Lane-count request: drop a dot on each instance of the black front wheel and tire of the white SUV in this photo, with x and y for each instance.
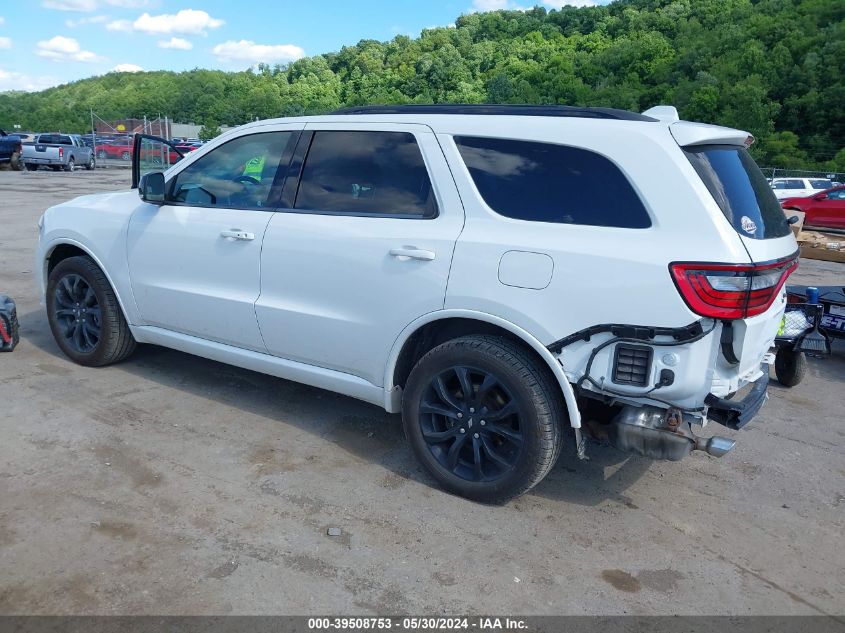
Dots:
(84, 315)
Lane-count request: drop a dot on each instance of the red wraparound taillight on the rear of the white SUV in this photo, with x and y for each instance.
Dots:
(731, 291)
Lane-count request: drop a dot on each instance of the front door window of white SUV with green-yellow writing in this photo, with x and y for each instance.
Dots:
(238, 174)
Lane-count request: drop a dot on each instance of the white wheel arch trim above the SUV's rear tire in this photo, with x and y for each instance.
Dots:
(434, 328)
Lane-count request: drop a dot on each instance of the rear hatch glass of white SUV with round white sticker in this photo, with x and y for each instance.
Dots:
(740, 190)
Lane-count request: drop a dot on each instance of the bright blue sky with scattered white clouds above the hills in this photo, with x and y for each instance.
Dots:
(48, 42)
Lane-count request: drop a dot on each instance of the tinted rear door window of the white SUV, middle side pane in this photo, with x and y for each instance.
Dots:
(380, 173)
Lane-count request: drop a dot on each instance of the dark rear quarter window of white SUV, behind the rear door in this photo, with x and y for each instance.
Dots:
(544, 182)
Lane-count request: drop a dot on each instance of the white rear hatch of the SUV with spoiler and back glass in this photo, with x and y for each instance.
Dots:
(721, 159)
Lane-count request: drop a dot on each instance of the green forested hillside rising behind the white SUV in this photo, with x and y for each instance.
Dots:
(773, 67)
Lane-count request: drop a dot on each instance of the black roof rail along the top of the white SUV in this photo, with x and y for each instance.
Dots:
(499, 110)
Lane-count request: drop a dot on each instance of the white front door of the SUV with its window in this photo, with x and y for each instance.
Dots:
(194, 261)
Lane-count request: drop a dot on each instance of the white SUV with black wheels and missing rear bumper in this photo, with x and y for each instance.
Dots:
(494, 273)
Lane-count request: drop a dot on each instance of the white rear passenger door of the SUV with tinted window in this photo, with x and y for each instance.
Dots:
(363, 248)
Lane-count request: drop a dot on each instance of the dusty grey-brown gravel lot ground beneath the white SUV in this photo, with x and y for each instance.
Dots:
(170, 484)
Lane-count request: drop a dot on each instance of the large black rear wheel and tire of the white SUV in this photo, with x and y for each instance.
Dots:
(483, 417)
